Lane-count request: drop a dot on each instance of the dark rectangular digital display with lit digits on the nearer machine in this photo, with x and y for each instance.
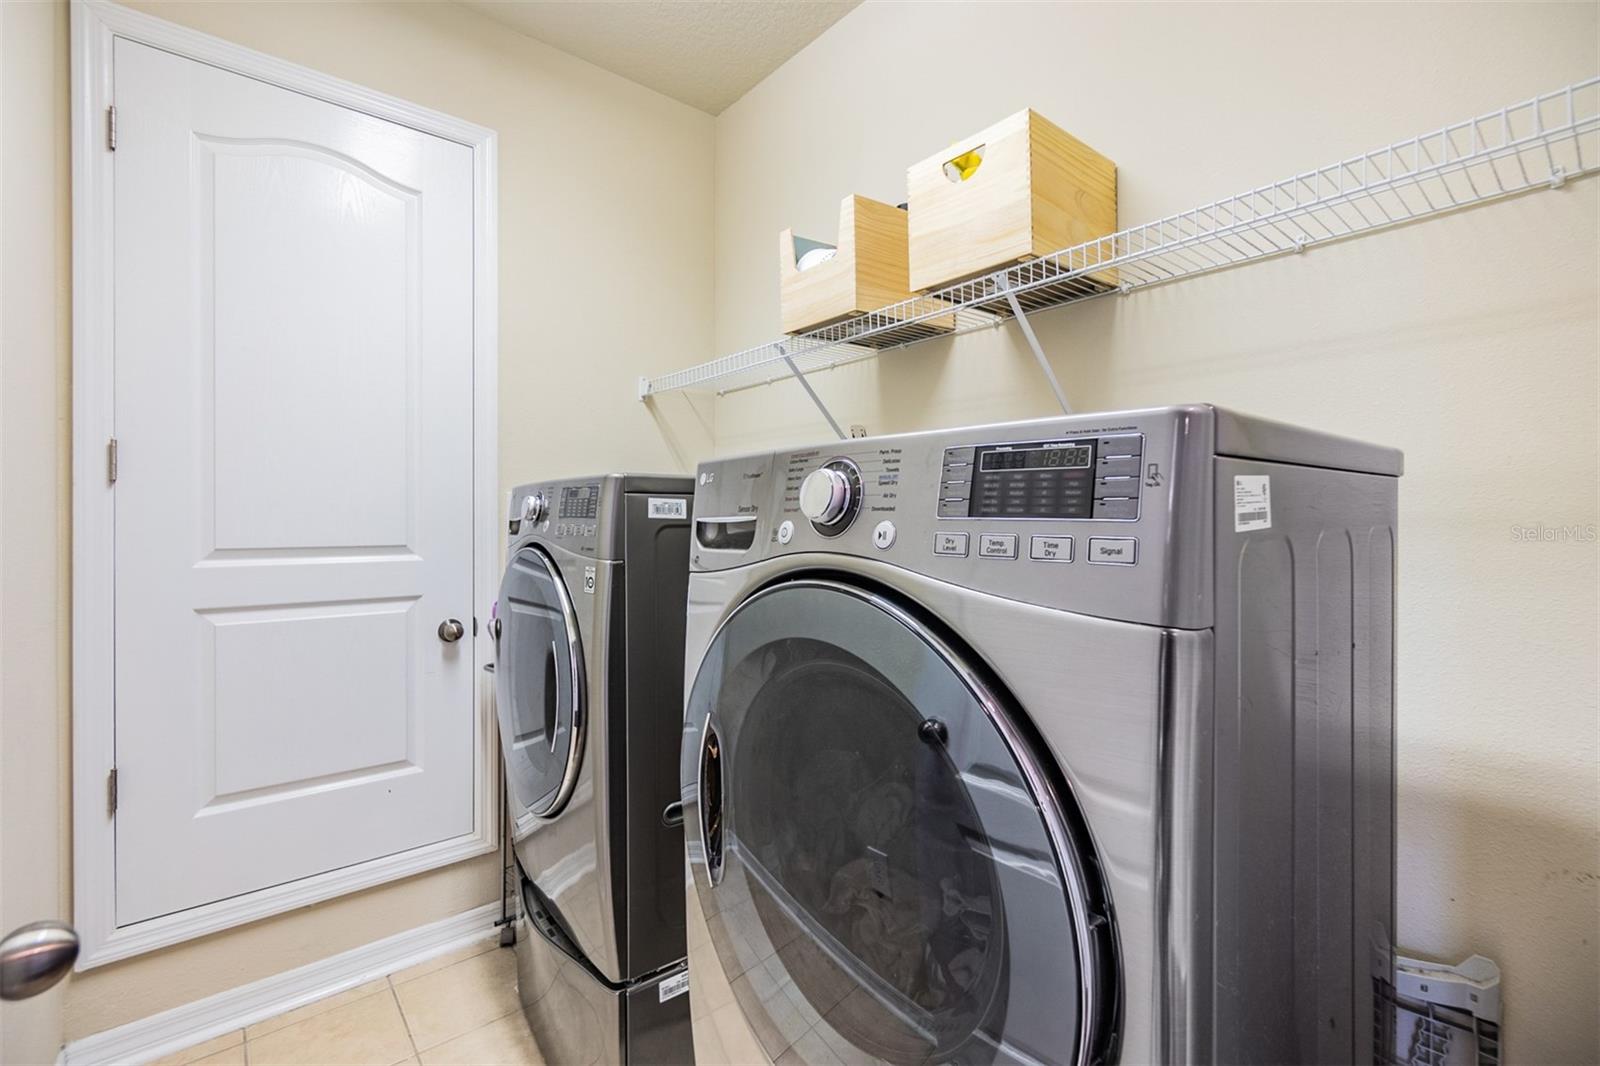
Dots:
(1047, 481)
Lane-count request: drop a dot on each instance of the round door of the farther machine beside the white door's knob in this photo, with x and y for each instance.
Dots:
(538, 686)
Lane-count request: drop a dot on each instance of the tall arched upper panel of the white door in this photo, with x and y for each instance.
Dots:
(295, 226)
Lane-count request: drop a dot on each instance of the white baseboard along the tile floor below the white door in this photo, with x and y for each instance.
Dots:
(182, 1027)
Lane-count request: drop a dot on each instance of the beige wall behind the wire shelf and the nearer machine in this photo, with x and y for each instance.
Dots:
(1434, 339)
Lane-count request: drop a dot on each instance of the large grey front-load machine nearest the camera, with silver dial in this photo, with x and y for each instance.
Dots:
(1057, 742)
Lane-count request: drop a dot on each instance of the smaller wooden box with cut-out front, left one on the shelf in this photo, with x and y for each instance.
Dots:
(868, 271)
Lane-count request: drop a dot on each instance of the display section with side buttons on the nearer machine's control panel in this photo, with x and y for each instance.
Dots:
(1081, 478)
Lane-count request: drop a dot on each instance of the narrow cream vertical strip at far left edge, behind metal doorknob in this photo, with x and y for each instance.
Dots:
(34, 331)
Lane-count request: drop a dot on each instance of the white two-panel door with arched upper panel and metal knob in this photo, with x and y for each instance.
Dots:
(294, 500)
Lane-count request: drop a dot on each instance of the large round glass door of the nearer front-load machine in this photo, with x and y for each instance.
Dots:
(886, 868)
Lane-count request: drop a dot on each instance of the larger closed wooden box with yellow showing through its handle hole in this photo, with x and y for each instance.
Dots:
(1020, 190)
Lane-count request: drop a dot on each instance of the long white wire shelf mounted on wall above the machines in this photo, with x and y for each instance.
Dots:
(1538, 143)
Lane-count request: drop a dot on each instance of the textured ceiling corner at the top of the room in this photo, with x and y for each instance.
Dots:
(706, 54)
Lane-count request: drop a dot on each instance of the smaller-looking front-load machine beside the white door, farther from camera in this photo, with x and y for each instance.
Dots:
(590, 673)
